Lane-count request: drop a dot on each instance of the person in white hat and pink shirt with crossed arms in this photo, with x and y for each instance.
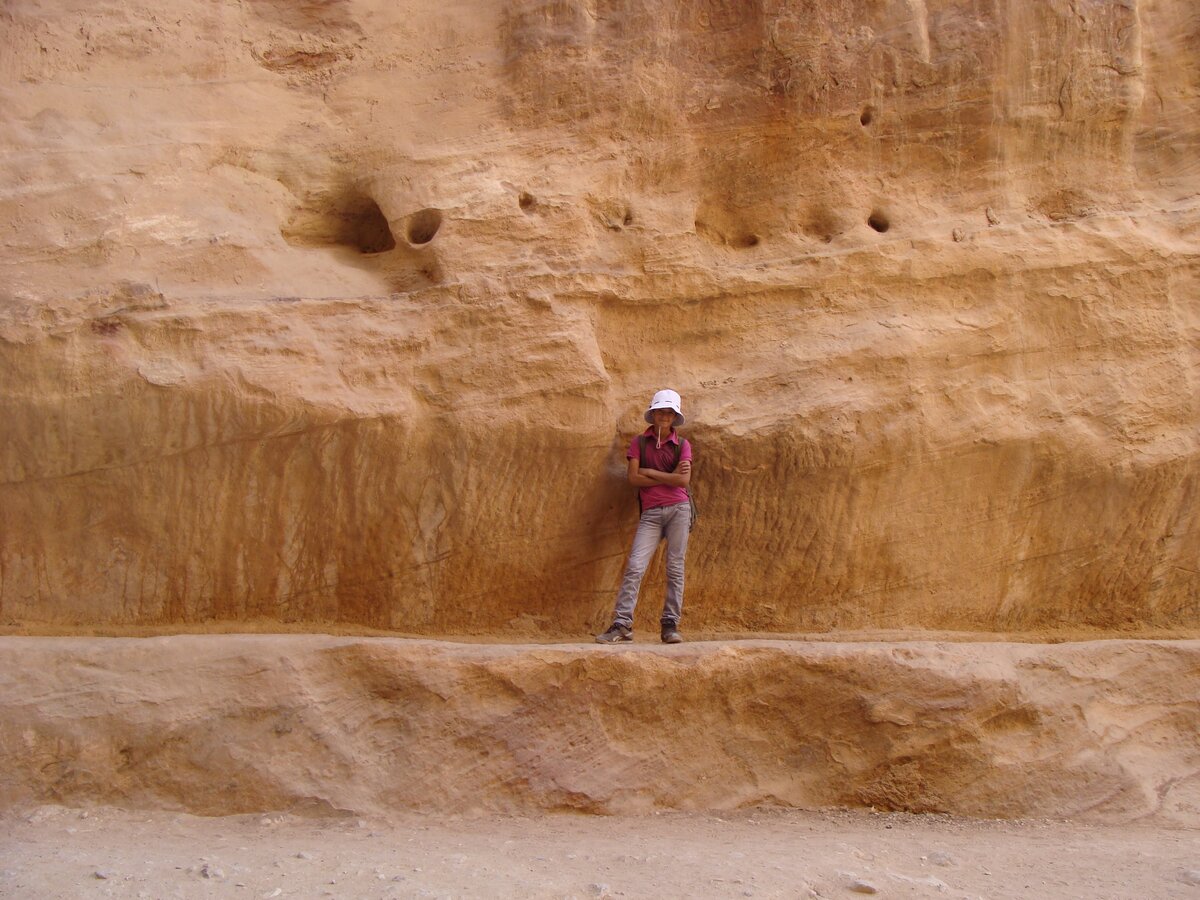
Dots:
(661, 469)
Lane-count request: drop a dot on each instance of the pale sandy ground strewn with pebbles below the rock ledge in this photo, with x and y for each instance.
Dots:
(57, 853)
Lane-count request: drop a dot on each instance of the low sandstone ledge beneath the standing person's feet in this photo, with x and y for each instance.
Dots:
(217, 725)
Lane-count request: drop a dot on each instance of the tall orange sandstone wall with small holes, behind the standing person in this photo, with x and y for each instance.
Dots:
(344, 313)
